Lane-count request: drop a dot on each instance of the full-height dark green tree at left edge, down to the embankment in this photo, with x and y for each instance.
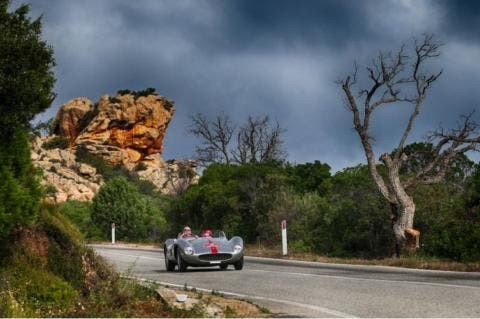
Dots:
(26, 83)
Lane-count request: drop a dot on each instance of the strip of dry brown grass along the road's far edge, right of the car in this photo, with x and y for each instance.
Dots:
(418, 262)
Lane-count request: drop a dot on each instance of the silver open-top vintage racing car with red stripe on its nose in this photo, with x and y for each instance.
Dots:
(216, 250)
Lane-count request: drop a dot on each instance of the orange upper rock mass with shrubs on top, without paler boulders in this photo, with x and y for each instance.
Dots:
(123, 129)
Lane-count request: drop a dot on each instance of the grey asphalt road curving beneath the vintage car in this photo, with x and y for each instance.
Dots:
(319, 290)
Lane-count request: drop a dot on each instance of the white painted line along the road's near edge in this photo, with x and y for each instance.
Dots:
(234, 294)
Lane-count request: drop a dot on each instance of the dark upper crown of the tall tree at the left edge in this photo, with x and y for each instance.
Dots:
(26, 77)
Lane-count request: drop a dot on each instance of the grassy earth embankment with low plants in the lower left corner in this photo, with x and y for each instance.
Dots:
(47, 271)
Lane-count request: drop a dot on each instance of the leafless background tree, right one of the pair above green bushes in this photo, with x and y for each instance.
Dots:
(259, 141)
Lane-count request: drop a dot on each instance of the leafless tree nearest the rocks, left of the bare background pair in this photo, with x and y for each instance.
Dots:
(215, 138)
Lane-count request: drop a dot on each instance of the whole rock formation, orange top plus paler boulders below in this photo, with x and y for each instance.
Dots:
(127, 129)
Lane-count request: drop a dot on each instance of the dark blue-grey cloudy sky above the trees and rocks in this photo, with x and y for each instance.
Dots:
(277, 58)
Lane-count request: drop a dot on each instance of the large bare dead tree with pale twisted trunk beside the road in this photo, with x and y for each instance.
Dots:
(399, 78)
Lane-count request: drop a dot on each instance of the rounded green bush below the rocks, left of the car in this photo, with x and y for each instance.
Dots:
(134, 215)
